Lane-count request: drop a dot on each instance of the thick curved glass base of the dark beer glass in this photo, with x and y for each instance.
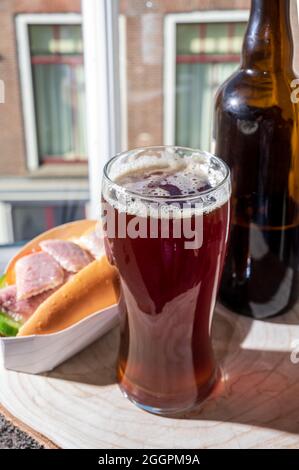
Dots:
(203, 394)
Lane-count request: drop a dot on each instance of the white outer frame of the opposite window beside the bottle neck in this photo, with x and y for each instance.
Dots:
(170, 24)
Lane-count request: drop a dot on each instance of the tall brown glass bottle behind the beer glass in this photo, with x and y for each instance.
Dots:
(257, 134)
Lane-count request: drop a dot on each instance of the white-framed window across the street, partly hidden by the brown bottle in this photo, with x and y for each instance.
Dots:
(206, 51)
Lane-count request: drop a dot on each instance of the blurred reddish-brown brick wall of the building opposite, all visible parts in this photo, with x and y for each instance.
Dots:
(144, 22)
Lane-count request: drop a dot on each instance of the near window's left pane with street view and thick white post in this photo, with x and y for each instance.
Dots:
(43, 65)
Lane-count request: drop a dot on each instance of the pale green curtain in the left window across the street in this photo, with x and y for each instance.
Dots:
(59, 105)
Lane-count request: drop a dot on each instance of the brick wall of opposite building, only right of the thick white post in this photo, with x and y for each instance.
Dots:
(145, 22)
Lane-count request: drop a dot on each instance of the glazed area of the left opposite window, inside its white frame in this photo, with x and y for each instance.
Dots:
(59, 95)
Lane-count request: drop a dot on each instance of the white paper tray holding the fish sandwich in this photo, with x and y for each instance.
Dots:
(40, 353)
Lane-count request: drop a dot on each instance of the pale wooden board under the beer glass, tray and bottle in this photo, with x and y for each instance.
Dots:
(79, 405)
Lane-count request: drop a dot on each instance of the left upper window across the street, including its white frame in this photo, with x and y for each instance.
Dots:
(53, 89)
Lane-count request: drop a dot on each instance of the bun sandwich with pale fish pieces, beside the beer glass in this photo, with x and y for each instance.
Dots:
(56, 280)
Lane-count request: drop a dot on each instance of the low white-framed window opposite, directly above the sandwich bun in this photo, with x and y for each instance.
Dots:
(31, 206)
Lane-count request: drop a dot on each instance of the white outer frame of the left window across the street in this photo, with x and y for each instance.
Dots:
(23, 21)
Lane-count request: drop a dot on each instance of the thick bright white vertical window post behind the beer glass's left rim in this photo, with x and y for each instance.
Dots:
(101, 59)
